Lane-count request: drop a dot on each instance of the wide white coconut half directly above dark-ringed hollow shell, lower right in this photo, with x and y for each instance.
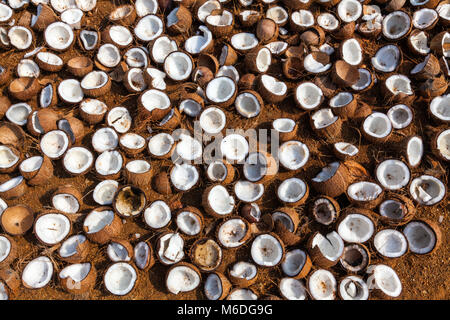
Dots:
(356, 228)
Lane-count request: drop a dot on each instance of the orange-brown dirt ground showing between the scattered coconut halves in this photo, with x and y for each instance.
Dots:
(423, 277)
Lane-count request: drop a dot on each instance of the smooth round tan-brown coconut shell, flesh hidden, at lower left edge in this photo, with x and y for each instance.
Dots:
(17, 220)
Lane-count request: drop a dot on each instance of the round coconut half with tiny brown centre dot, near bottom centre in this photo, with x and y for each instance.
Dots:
(266, 250)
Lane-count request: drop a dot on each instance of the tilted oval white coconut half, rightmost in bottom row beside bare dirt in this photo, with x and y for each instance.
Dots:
(384, 278)
